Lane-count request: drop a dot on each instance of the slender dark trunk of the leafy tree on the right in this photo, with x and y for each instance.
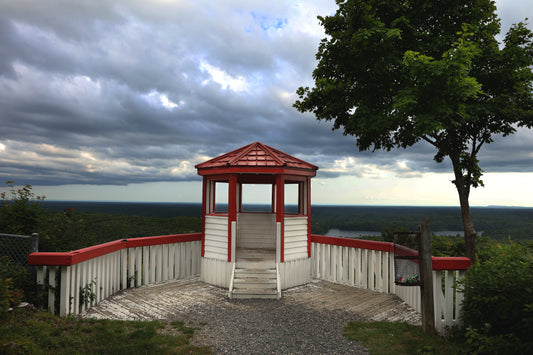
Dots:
(464, 192)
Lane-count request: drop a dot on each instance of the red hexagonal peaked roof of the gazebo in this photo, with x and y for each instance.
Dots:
(255, 158)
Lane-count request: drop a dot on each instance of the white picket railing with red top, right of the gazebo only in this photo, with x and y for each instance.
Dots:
(370, 265)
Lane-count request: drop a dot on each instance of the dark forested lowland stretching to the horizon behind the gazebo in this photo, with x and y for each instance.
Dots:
(494, 221)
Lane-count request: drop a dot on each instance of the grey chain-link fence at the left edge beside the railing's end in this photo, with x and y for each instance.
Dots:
(18, 247)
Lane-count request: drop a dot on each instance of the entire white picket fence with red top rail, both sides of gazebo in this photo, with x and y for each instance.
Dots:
(82, 278)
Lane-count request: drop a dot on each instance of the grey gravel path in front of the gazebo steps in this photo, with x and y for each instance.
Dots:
(274, 327)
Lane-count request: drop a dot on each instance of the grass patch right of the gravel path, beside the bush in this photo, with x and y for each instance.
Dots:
(396, 338)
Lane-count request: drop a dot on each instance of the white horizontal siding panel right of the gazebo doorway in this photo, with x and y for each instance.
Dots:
(295, 237)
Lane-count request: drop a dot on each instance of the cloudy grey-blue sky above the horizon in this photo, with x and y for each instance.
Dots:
(118, 100)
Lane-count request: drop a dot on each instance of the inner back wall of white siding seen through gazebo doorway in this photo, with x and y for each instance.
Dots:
(256, 230)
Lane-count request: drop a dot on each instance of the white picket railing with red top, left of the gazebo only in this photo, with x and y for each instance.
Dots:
(82, 278)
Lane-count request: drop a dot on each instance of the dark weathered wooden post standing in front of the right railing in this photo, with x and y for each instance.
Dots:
(426, 274)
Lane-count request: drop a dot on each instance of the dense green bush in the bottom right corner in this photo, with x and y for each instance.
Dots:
(497, 310)
